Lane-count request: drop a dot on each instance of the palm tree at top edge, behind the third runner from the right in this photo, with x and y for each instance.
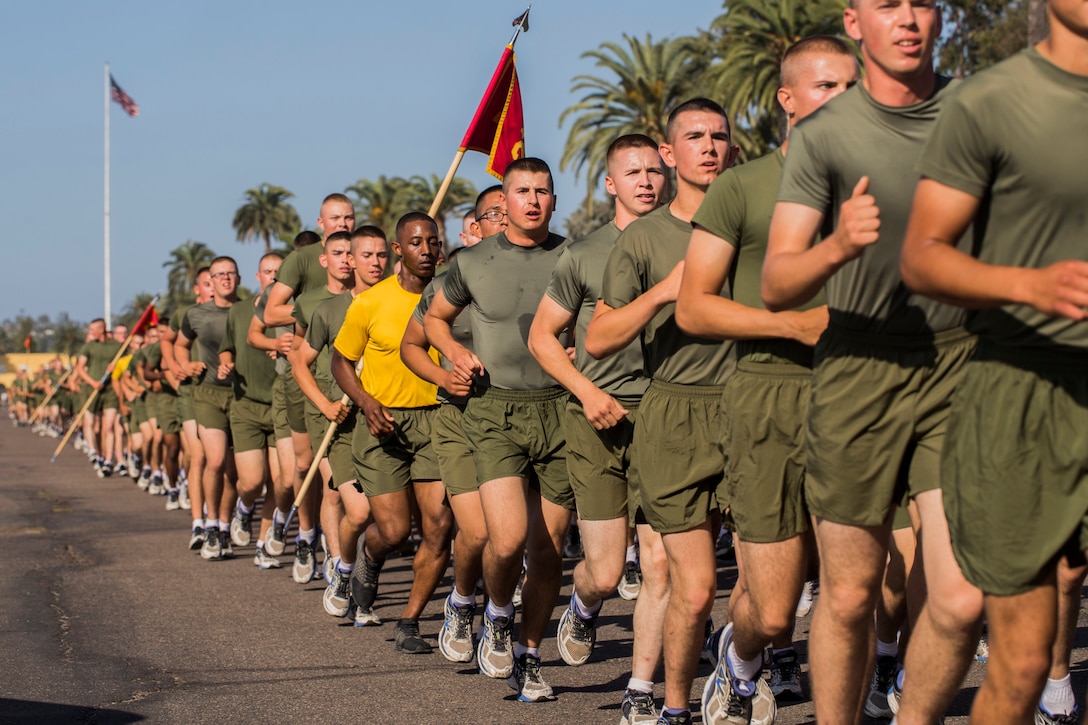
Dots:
(748, 43)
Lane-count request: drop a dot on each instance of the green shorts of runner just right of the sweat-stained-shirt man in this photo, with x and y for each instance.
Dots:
(599, 463)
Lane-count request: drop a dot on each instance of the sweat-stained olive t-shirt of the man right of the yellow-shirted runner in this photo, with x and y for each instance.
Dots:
(503, 285)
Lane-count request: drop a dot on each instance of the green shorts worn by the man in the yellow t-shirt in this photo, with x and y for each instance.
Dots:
(404, 457)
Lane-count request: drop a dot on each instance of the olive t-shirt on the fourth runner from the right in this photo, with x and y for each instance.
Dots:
(645, 255)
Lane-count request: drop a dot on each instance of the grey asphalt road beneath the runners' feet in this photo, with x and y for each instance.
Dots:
(107, 618)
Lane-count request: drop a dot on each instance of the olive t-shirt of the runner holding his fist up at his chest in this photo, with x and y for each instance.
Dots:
(854, 137)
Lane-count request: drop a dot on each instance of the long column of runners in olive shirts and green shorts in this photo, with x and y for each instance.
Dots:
(784, 348)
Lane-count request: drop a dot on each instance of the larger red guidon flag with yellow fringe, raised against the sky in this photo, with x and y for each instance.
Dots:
(499, 127)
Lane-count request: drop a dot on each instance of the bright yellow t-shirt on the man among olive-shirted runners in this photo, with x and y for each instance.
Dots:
(373, 330)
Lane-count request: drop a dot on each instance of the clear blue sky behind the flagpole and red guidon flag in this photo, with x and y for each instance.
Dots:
(233, 94)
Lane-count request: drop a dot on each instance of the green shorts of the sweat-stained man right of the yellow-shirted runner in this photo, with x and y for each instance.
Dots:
(517, 433)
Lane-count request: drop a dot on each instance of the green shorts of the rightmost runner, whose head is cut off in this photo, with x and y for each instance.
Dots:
(1016, 466)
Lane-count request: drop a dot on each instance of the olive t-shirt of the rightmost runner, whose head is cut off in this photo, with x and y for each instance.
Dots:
(1015, 137)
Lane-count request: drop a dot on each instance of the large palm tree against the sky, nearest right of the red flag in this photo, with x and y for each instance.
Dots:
(645, 82)
